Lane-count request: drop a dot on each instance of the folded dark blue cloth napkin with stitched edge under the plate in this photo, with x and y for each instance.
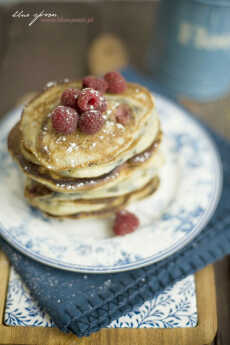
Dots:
(83, 306)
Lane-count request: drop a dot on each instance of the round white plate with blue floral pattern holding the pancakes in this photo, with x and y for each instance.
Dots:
(191, 182)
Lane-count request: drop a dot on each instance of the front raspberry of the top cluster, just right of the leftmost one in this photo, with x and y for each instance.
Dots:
(91, 121)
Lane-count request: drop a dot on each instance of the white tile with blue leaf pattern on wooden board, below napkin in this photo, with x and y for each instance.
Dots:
(174, 307)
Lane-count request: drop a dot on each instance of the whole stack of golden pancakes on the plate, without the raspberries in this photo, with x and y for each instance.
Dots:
(79, 175)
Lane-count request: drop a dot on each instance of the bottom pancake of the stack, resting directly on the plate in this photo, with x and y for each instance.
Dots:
(35, 193)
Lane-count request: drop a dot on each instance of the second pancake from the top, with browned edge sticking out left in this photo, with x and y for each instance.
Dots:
(70, 185)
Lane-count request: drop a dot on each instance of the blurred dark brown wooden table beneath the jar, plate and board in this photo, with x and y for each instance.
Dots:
(32, 55)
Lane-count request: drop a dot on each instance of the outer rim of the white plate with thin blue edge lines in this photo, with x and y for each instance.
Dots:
(179, 244)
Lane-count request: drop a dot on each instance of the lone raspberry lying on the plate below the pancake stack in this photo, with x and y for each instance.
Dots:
(125, 223)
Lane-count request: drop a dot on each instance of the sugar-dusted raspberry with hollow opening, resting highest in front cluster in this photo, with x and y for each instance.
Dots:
(89, 99)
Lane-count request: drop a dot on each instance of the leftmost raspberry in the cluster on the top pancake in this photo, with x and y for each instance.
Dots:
(64, 119)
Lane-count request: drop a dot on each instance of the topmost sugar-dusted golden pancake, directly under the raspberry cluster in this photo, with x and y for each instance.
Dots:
(80, 155)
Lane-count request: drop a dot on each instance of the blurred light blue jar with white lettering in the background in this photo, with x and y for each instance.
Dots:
(190, 52)
